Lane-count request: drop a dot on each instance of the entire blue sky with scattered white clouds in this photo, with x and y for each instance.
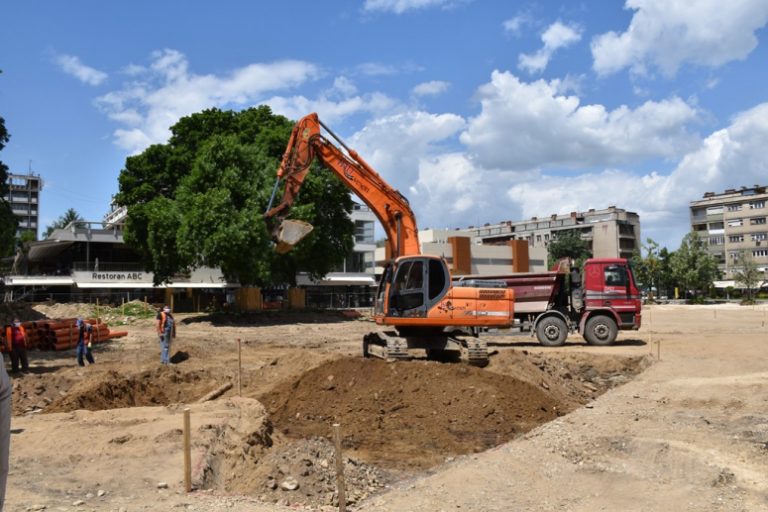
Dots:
(478, 111)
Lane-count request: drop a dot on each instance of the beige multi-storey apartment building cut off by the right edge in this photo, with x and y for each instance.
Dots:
(733, 222)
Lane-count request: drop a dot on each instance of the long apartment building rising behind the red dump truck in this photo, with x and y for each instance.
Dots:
(611, 232)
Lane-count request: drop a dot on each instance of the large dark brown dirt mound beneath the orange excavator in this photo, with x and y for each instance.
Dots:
(410, 415)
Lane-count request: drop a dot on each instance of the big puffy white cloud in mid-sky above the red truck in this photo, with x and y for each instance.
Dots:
(531, 125)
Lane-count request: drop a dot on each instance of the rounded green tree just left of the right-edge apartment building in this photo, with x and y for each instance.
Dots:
(693, 268)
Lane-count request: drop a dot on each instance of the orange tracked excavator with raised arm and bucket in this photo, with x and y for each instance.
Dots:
(417, 304)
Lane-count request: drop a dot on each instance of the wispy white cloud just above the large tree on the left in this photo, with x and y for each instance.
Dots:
(166, 90)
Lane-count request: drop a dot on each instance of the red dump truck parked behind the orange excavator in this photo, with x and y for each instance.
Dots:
(597, 302)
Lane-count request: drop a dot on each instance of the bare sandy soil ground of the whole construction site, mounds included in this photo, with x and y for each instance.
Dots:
(573, 428)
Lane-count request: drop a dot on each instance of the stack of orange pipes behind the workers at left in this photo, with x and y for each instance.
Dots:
(62, 333)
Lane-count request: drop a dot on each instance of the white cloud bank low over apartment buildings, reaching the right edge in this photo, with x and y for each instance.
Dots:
(728, 158)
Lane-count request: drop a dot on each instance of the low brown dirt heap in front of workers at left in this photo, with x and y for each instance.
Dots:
(113, 390)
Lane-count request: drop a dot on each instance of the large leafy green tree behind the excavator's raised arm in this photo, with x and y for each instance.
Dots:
(199, 200)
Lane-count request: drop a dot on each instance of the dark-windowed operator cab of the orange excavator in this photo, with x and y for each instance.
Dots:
(411, 286)
